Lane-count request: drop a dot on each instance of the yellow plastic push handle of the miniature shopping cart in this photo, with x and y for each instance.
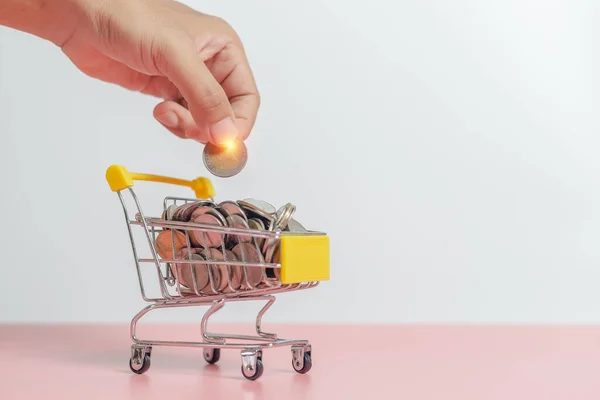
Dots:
(119, 178)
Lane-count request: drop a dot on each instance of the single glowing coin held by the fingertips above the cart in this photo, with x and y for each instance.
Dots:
(227, 160)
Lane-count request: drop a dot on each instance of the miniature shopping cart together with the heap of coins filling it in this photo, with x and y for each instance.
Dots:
(206, 254)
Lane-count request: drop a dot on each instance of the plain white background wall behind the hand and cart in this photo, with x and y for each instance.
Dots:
(449, 149)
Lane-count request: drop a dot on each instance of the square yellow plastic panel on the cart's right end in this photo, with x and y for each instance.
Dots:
(304, 258)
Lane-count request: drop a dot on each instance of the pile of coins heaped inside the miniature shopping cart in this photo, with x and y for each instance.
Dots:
(193, 243)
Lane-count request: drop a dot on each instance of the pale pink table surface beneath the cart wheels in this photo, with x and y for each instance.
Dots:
(349, 362)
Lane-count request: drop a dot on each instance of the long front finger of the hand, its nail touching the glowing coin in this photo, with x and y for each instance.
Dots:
(206, 99)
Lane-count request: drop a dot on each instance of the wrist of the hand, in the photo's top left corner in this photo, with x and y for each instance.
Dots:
(53, 20)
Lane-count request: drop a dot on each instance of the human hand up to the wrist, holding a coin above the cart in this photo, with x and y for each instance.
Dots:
(165, 49)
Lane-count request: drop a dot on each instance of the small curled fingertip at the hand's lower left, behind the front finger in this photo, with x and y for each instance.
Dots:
(178, 120)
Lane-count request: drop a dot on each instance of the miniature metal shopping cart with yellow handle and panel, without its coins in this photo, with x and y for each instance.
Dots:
(302, 262)
